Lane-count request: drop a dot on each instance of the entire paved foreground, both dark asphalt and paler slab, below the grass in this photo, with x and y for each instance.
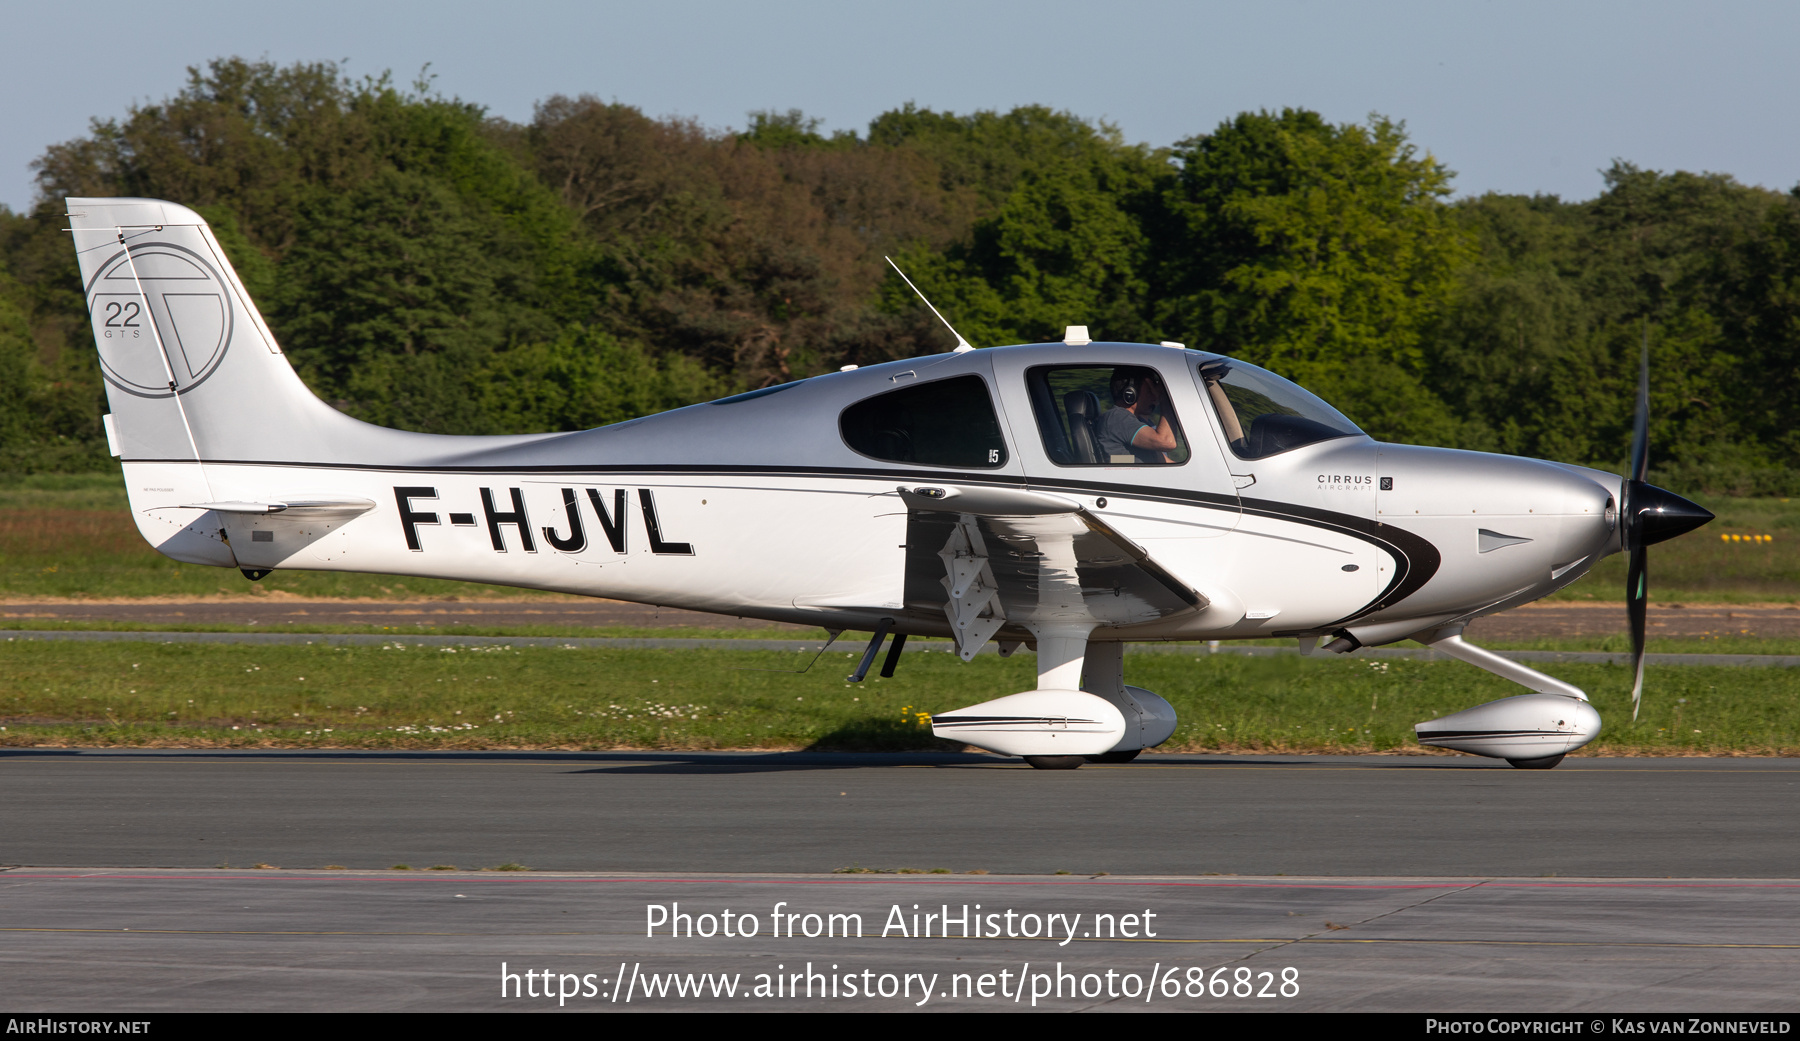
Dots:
(1385, 883)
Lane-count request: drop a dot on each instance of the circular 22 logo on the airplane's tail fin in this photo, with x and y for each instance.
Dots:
(159, 293)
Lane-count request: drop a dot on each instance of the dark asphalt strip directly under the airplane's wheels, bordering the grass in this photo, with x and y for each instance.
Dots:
(813, 813)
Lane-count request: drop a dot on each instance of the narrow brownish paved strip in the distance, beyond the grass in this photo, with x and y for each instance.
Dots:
(280, 613)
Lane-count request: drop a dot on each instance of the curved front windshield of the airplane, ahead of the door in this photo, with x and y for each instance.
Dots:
(1263, 413)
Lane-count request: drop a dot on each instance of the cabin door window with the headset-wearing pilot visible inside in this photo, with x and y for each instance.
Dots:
(1106, 417)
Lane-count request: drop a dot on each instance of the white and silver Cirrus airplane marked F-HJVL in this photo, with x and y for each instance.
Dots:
(1065, 496)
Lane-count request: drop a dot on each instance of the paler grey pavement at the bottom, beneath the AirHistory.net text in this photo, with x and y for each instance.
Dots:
(327, 941)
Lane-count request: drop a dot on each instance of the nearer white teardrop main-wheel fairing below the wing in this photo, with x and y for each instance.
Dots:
(1052, 723)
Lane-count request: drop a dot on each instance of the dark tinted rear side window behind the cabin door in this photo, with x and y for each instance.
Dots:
(939, 424)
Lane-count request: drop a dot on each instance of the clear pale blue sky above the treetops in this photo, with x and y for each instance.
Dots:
(1524, 96)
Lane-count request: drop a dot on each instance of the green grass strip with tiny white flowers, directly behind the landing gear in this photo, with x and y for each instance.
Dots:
(186, 696)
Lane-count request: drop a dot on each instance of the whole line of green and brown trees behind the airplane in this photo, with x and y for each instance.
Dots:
(431, 267)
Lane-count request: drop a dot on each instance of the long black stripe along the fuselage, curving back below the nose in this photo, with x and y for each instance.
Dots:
(1416, 557)
